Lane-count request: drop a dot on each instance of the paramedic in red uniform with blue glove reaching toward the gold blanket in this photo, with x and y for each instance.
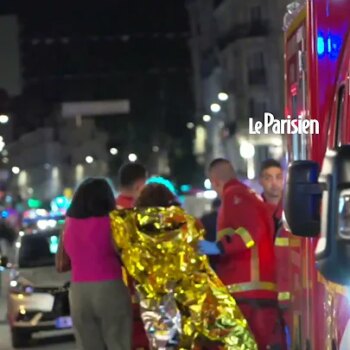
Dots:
(246, 262)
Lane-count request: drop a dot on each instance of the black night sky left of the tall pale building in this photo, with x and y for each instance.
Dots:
(136, 49)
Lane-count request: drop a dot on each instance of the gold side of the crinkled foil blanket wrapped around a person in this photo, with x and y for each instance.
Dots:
(158, 247)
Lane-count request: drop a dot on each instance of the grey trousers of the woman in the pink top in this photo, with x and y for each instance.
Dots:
(102, 315)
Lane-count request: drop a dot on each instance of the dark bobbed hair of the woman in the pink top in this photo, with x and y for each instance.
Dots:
(94, 197)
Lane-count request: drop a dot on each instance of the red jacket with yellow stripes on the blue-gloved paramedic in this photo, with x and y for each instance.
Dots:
(245, 231)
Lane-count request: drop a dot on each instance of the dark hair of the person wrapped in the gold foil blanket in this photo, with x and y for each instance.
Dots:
(156, 195)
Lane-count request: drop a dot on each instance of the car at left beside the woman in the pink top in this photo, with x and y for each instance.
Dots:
(37, 294)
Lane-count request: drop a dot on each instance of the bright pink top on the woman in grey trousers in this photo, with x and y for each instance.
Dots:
(89, 245)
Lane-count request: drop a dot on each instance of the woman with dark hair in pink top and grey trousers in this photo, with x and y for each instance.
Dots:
(99, 300)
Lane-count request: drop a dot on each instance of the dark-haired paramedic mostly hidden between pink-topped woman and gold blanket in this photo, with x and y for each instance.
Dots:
(132, 178)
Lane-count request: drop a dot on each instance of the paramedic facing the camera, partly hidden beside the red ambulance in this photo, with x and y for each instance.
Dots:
(271, 180)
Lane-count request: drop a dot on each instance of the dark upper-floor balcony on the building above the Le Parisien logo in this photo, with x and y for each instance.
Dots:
(246, 30)
